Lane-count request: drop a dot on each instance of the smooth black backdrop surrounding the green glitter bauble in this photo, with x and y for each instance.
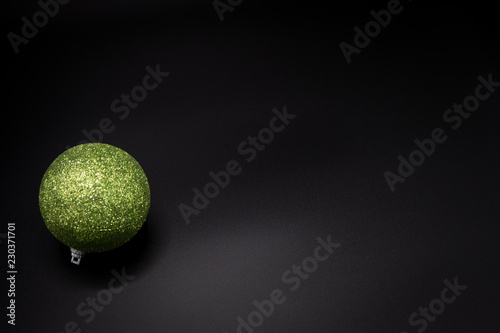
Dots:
(322, 176)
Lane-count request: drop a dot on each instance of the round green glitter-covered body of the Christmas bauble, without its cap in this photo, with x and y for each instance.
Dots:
(94, 197)
